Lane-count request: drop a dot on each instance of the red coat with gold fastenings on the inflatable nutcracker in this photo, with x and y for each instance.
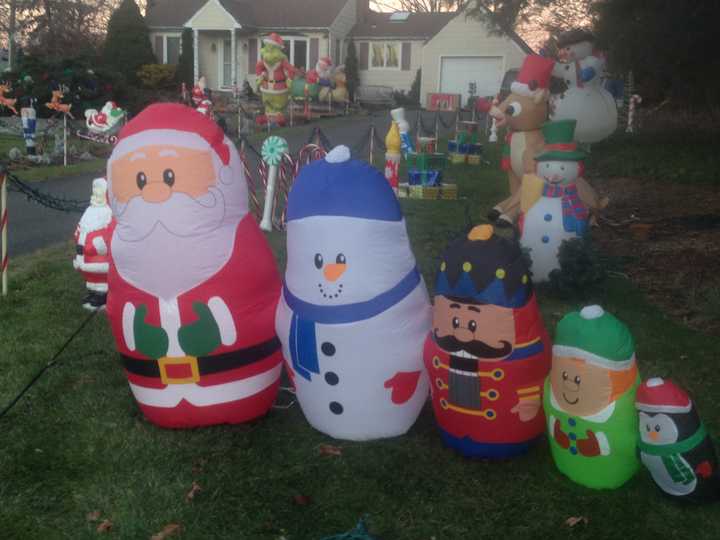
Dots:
(503, 385)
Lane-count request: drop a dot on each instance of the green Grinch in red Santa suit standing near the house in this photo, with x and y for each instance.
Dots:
(274, 75)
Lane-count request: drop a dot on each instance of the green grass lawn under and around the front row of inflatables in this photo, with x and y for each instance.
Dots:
(77, 443)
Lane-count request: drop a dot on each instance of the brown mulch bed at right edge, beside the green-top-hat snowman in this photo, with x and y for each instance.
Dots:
(667, 237)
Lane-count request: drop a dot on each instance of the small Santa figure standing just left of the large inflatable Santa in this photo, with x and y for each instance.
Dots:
(92, 238)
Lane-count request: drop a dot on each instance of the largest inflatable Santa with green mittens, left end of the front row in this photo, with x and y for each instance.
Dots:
(193, 282)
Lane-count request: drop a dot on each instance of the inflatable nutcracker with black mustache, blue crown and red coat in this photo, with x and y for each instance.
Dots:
(488, 352)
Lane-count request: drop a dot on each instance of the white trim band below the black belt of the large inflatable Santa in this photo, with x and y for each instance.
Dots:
(203, 396)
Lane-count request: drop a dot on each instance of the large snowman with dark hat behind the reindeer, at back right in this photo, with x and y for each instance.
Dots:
(585, 99)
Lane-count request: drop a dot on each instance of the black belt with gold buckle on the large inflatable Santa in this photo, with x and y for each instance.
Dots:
(203, 365)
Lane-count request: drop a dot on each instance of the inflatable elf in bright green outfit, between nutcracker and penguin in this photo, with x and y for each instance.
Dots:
(589, 399)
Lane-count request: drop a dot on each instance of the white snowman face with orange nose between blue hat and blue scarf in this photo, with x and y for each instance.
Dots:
(336, 260)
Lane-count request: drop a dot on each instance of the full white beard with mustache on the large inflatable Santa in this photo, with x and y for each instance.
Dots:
(169, 248)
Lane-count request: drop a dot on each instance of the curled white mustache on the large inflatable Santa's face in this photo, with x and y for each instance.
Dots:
(181, 215)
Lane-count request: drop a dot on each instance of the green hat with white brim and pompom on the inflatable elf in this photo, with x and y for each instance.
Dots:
(596, 337)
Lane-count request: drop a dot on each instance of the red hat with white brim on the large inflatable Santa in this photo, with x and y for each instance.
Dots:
(172, 124)
